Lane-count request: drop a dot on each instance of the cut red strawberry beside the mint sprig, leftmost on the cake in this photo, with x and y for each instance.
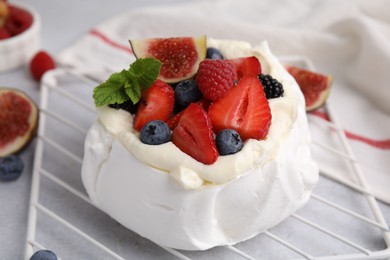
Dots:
(157, 103)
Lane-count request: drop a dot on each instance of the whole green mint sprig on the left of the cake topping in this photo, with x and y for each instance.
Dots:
(127, 84)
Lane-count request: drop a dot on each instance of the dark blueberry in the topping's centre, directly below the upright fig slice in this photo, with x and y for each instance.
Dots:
(187, 92)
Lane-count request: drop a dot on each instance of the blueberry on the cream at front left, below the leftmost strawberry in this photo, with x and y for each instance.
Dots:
(155, 132)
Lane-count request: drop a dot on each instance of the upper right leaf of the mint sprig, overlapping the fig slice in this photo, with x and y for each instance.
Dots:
(144, 72)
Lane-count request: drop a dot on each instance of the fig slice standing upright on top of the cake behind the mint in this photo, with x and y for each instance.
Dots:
(180, 56)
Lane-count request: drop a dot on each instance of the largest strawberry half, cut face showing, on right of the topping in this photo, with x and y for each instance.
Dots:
(244, 108)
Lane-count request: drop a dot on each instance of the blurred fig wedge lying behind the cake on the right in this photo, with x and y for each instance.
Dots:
(314, 86)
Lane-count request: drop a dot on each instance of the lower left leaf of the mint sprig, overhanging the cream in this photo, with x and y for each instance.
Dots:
(112, 90)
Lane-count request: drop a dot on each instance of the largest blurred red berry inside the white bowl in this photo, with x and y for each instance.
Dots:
(18, 20)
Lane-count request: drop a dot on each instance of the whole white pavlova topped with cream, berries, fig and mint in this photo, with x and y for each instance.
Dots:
(199, 143)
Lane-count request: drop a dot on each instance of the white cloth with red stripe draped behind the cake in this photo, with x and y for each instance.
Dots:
(347, 39)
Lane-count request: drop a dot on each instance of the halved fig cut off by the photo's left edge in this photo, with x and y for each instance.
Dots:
(18, 121)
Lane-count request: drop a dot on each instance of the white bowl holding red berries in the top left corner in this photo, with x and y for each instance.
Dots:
(18, 50)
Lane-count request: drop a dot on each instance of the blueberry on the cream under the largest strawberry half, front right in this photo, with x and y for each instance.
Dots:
(228, 141)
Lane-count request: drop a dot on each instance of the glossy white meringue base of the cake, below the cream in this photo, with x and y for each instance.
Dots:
(156, 206)
